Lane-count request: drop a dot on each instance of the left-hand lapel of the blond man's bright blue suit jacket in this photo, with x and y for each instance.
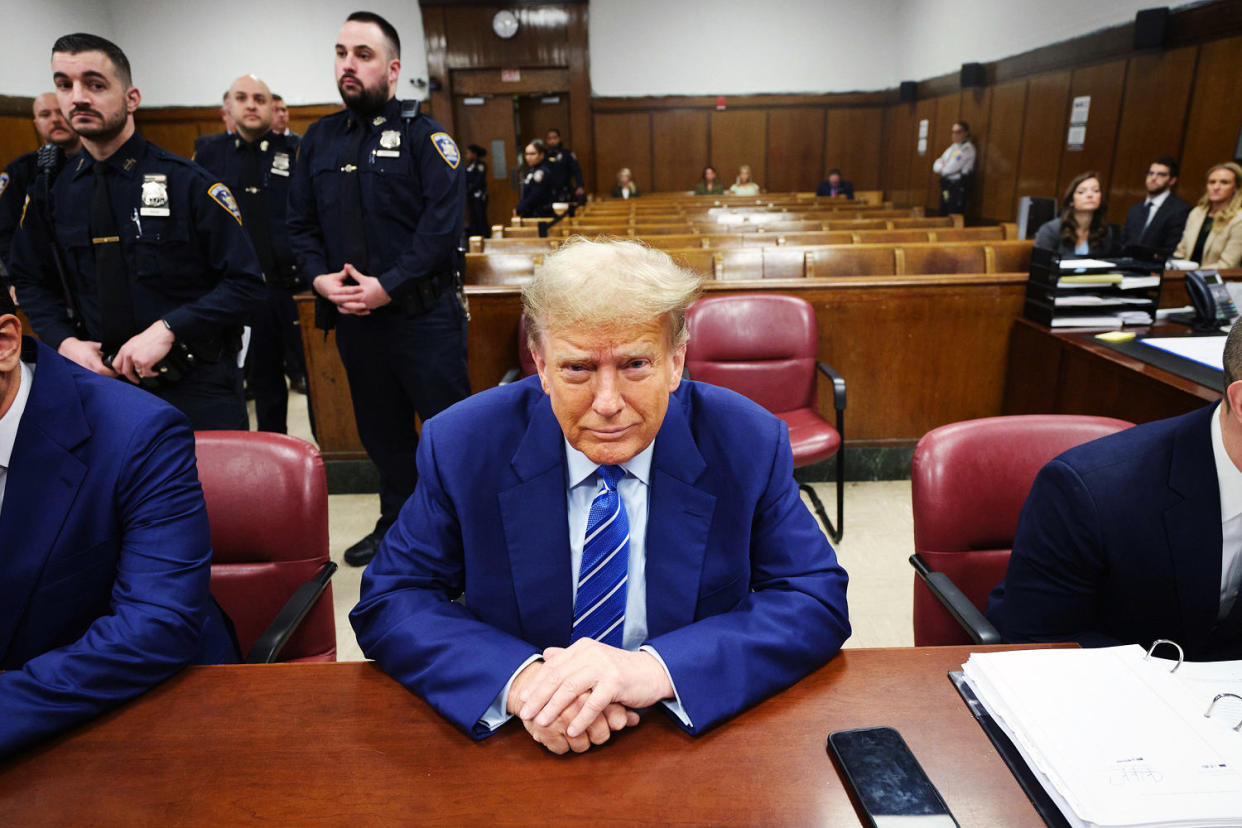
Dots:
(536, 517)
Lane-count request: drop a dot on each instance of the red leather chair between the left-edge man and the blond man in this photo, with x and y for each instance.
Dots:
(268, 502)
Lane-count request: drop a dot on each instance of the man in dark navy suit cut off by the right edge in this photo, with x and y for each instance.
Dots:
(1137, 537)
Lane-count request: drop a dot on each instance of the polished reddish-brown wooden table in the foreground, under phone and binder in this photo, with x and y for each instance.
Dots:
(343, 744)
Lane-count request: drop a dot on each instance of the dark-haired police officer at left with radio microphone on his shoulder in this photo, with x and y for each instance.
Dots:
(157, 275)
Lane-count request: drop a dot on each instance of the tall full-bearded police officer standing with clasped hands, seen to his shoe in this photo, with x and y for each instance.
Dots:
(377, 209)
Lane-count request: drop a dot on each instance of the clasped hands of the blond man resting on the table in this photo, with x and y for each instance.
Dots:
(579, 696)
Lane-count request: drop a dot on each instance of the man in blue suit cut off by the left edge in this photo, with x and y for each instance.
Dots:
(104, 543)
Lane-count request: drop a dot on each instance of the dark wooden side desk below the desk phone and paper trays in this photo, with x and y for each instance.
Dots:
(1072, 373)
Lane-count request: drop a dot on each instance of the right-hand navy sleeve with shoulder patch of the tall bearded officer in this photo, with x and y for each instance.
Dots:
(440, 224)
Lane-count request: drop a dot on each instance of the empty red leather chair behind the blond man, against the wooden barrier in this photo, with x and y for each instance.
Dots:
(766, 348)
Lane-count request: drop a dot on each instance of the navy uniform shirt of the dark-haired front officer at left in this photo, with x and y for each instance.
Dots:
(188, 259)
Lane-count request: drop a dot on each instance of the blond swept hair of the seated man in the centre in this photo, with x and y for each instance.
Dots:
(608, 284)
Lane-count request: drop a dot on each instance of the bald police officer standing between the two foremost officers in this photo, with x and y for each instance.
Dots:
(258, 164)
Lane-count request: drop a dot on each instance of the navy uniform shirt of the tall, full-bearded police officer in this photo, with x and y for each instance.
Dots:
(413, 197)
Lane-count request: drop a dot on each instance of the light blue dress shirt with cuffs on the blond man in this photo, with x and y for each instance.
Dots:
(582, 486)
